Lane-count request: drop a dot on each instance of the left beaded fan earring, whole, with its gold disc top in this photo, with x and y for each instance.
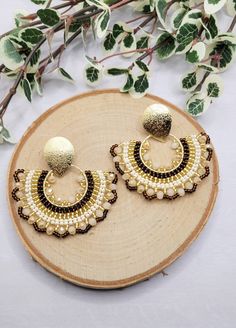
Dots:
(39, 206)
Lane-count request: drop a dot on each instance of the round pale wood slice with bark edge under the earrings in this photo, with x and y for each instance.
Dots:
(138, 238)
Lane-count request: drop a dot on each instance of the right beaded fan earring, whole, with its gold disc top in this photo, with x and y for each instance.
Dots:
(190, 166)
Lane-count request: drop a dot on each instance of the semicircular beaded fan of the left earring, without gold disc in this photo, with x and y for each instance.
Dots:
(37, 204)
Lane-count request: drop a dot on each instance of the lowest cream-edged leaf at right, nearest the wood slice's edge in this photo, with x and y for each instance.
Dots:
(197, 104)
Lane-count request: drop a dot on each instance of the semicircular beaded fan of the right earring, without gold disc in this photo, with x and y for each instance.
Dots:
(194, 153)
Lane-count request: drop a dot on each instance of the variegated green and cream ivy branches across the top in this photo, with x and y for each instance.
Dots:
(157, 29)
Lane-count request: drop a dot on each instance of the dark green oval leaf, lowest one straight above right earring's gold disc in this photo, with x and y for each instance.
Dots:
(166, 45)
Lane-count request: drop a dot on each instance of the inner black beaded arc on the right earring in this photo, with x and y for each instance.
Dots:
(161, 175)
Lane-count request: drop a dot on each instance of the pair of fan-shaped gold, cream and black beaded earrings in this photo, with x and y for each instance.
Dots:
(38, 204)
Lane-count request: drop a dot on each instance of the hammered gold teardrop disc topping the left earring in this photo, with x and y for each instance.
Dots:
(59, 153)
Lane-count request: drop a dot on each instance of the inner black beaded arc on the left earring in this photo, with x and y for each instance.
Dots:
(64, 209)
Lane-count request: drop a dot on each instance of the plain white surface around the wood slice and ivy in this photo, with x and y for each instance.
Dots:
(200, 289)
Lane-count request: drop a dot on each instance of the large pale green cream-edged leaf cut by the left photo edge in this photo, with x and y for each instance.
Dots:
(9, 55)
